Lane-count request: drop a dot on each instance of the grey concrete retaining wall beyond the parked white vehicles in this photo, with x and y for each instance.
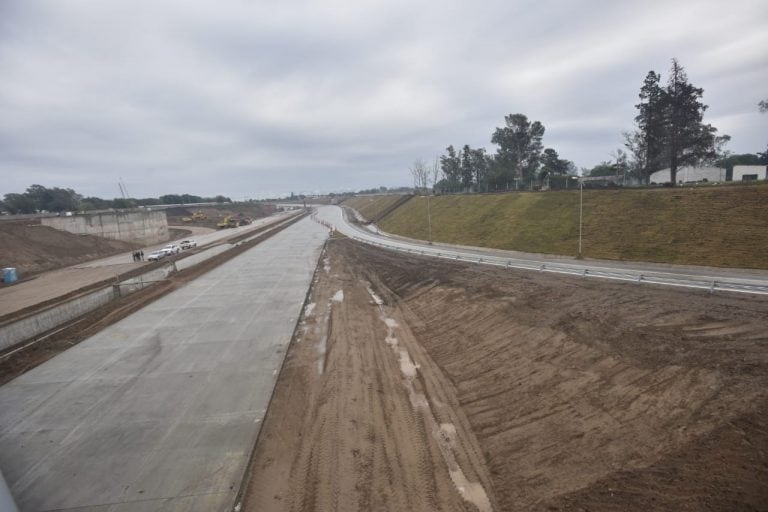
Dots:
(141, 227)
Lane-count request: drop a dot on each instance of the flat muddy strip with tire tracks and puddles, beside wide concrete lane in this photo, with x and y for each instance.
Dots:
(342, 432)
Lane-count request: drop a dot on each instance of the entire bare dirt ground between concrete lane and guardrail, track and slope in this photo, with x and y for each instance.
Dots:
(472, 388)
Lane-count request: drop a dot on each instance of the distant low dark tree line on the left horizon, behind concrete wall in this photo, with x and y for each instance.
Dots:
(38, 198)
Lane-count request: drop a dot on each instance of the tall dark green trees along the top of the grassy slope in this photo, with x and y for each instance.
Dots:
(670, 133)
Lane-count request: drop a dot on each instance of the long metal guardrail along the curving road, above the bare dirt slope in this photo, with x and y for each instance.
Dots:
(650, 277)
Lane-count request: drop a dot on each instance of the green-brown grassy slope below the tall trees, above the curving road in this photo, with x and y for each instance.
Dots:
(717, 226)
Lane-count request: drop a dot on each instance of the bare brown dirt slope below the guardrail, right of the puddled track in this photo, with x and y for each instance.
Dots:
(575, 389)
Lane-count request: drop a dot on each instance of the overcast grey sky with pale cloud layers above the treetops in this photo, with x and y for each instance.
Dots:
(259, 98)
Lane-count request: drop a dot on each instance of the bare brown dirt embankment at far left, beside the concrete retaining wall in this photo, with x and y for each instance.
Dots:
(33, 248)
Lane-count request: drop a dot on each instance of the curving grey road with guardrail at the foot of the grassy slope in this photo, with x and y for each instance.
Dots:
(685, 276)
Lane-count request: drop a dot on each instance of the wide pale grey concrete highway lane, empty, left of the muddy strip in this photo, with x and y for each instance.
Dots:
(160, 411)
